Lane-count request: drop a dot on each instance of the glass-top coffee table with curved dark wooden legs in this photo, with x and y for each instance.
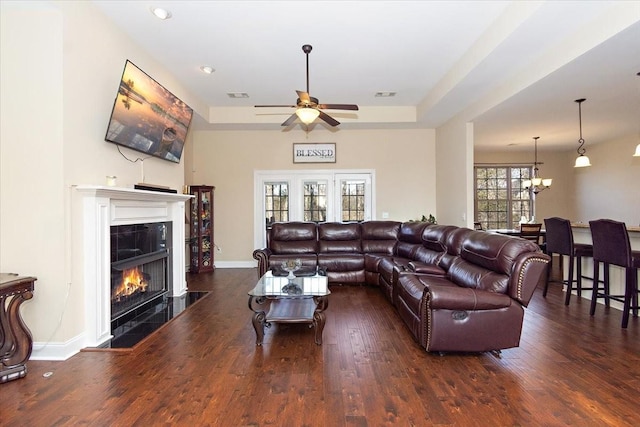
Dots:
(277, 299)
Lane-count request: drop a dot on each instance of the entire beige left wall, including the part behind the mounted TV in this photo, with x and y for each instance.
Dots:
(60, 67)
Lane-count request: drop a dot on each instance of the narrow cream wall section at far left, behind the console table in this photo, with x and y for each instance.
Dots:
(32, 220)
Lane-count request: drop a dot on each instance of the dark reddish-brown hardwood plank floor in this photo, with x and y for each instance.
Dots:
(204, 369)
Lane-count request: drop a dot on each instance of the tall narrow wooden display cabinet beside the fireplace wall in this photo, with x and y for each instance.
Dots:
(202, 244)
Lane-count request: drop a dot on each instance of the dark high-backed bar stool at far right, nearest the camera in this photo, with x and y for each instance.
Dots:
(611, 246)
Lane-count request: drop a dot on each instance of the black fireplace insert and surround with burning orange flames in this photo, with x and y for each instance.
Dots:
(140, 263)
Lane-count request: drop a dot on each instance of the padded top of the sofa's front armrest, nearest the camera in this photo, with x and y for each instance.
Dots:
(459, 298)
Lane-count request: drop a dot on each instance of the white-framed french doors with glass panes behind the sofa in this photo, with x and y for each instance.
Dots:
(311, 195)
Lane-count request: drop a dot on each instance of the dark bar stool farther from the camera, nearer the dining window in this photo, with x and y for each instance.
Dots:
(560, 241)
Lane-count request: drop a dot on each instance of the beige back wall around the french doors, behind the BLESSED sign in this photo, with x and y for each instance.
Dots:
(403, 160)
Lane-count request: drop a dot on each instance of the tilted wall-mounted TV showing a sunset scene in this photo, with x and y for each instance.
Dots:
(147, 117)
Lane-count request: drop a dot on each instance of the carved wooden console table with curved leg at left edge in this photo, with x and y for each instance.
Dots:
(16, 342)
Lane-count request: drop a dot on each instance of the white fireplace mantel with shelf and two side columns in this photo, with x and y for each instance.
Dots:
(103, 207)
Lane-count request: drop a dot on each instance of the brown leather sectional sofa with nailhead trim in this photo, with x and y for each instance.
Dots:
(456, 289)
